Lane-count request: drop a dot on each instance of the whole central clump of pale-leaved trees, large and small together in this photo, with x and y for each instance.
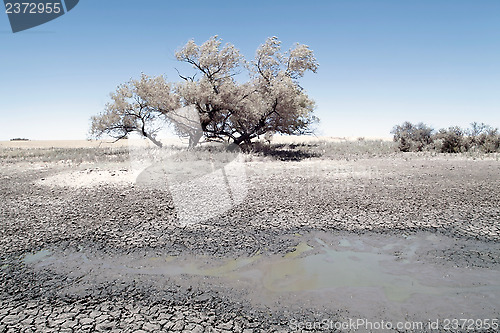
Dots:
(225, 109)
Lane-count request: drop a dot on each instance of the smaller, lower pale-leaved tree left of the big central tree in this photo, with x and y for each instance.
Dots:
(137, 107)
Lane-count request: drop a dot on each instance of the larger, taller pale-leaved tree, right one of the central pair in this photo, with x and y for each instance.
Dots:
(271, 101)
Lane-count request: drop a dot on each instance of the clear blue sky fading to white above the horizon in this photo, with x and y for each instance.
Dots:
(381, 62)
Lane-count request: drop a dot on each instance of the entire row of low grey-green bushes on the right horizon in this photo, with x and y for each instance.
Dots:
(420, 137)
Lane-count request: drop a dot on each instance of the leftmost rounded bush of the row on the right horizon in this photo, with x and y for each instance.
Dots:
(412, 137)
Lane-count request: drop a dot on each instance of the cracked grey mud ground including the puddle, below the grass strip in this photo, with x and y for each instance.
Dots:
(106, 242)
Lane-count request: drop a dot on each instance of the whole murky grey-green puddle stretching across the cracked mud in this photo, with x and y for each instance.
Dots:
(353, 271)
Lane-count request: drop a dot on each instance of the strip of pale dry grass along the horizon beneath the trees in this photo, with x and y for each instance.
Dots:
(282, 148)
